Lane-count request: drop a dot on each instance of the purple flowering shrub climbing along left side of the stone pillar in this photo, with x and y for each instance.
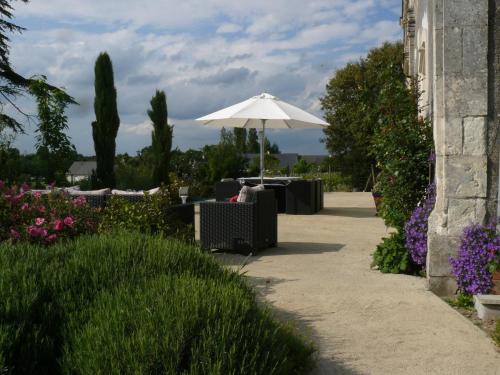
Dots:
(416, 227)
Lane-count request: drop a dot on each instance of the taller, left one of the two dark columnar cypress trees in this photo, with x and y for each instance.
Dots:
(105, 127)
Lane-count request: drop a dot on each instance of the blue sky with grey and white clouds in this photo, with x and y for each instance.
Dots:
(205, 54)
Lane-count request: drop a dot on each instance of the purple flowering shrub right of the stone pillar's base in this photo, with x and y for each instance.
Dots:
(479, 249)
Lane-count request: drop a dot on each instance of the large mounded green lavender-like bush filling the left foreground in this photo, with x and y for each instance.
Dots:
(131, 303)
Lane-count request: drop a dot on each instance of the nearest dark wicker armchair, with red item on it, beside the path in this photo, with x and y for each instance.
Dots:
(240, 227)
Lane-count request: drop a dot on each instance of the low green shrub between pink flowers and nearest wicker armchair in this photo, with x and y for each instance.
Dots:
(152, 214)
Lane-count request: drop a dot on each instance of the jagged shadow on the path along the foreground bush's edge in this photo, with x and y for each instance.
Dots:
(264, 286)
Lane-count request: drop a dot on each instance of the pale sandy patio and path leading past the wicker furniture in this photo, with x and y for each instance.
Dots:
(362, 321)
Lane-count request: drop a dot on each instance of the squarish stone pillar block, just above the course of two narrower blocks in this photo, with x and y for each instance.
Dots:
(466, 95)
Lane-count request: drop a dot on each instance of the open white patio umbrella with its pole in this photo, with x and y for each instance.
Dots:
(261, 112)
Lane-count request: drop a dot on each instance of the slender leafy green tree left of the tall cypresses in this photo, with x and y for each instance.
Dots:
(52, 143)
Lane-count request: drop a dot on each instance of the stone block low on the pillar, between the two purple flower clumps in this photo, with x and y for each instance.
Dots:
(440, 249)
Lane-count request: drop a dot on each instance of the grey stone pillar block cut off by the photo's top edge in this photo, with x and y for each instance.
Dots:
(465, 12)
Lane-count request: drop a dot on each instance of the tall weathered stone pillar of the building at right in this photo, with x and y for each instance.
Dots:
(464, 133)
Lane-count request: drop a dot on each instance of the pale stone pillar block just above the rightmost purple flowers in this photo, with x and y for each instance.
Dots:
(463, 212)
